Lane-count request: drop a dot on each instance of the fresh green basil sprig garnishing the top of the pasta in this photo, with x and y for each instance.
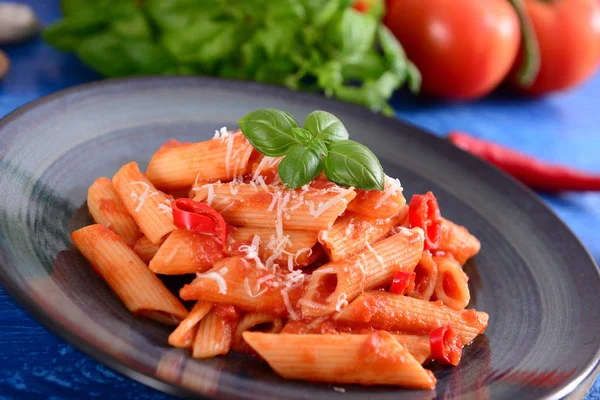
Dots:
(321, 145)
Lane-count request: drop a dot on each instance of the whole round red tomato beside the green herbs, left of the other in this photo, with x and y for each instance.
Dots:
(463, 48)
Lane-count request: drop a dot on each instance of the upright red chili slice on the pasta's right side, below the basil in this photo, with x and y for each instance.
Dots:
(424, 212)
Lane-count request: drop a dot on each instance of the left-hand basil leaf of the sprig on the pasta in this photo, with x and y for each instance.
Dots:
(269, 131)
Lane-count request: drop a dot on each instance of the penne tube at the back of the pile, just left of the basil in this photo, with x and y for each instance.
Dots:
(223, 158)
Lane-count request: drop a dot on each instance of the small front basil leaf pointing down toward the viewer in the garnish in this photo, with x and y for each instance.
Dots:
(300, 167)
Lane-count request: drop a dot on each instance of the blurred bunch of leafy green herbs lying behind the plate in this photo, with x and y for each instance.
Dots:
(317, 45)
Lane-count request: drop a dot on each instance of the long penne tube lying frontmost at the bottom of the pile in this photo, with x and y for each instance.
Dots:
(374, 359)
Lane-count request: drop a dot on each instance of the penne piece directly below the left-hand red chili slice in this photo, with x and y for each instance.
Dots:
(186, 252)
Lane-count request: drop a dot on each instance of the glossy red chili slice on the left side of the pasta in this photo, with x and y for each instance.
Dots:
(193, 215)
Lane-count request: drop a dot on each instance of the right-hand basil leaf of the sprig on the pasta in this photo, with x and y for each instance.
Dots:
(350, 163)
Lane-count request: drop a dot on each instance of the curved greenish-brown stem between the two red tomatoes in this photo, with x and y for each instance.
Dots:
(528, 71)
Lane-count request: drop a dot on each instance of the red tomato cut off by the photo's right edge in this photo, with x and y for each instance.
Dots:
(568, 33)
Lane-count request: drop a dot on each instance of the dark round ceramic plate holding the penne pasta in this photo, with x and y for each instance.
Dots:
(533, 277)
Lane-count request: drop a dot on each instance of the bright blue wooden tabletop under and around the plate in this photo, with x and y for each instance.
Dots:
(35, 363)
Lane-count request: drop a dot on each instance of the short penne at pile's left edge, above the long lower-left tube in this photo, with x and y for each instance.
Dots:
(107, 209)
